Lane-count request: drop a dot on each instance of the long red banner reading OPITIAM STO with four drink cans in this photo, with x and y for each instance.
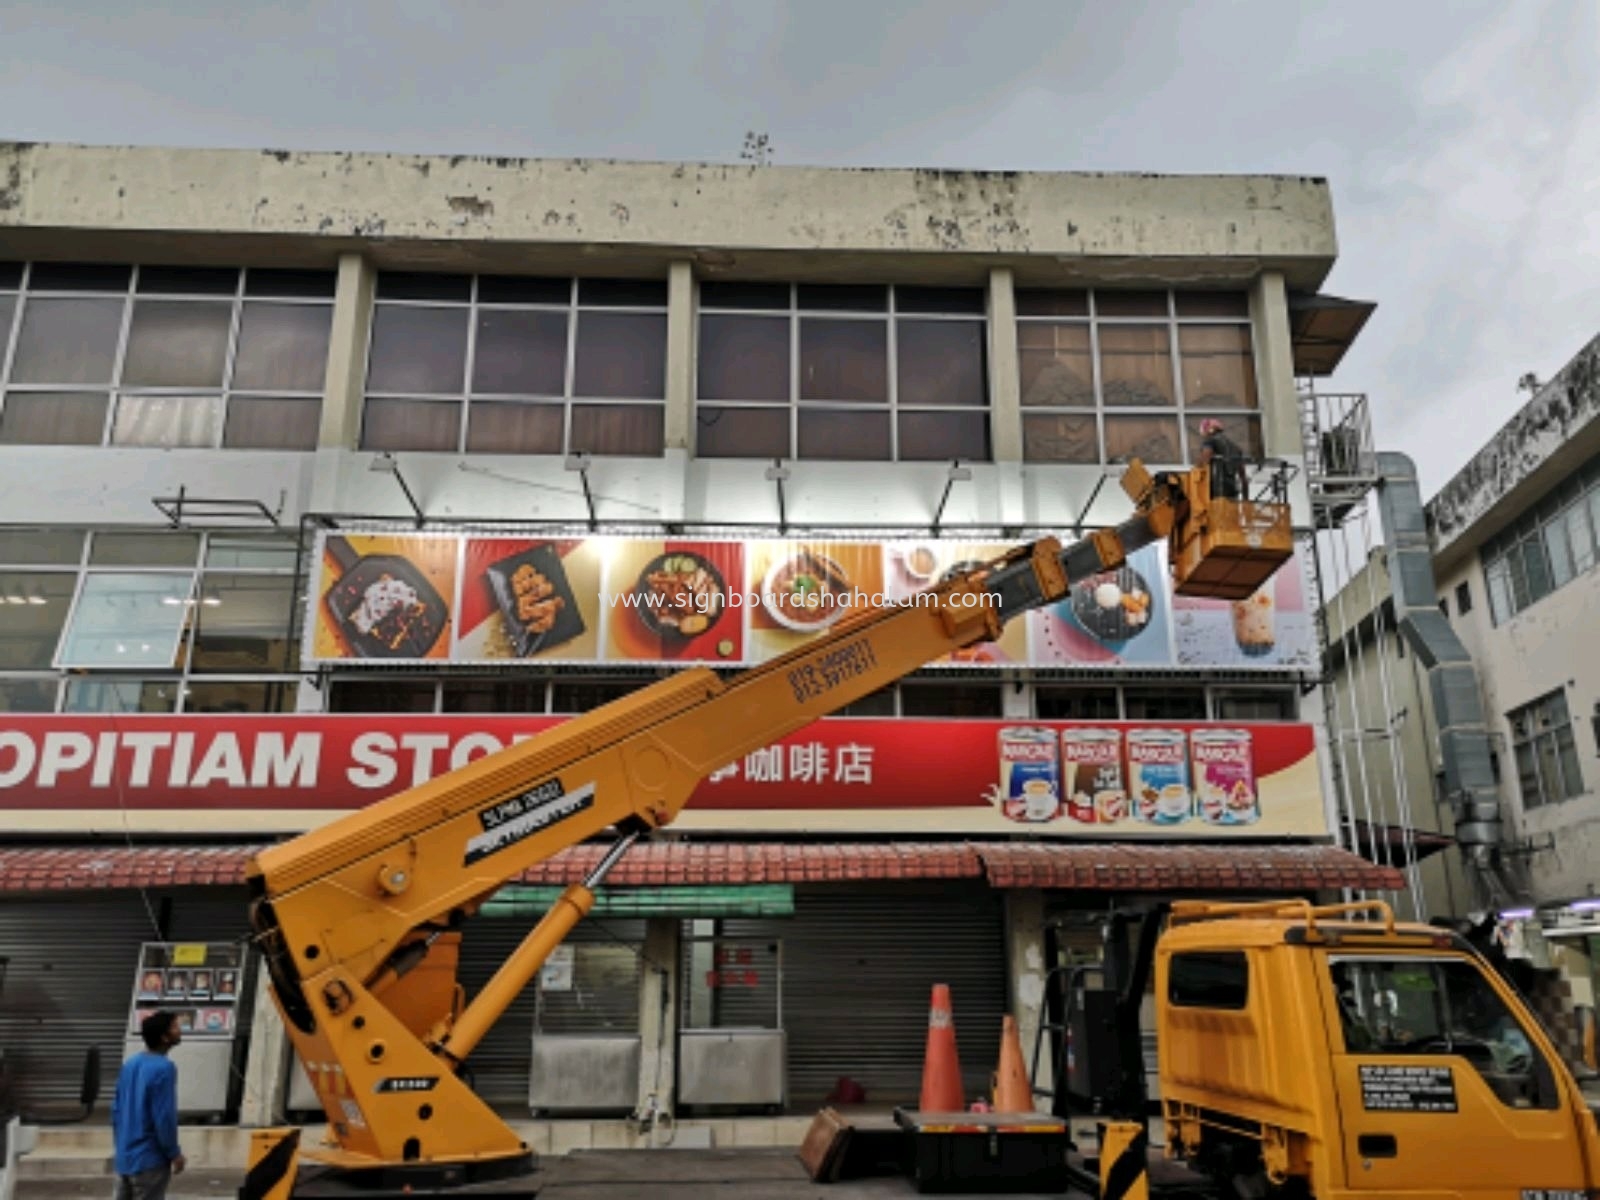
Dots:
(1078, 778)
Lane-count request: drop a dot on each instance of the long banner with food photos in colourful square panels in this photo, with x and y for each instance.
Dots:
(447, 598)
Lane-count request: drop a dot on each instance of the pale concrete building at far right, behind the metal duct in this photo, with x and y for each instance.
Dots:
(1514, 538)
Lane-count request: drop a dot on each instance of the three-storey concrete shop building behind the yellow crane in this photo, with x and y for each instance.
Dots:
(230, 377)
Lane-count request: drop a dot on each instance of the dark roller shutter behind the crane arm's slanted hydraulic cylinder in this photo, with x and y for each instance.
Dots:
(604, 996)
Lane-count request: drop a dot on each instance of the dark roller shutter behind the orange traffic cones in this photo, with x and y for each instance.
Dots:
(860, 966)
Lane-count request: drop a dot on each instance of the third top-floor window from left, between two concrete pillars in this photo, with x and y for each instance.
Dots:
(842, 372)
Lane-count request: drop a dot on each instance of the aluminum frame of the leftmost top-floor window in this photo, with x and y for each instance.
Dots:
(116, 391)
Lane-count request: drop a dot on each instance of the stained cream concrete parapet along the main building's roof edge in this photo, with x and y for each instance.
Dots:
(1108, 225)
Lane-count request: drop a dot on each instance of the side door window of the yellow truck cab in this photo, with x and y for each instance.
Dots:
(1438, 1007)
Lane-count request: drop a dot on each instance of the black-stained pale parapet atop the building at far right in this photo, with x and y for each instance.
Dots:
(1530, 454)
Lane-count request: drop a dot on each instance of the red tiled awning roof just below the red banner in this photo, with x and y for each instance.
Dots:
(1116, 866)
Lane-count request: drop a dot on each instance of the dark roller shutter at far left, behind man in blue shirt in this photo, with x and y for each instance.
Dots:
(70, 986)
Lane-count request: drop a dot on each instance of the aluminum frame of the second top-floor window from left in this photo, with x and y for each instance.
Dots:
(574, 310)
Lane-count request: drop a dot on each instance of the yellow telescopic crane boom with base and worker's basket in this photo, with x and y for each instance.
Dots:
(359, 922)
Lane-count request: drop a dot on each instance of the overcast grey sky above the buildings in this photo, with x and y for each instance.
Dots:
(1462, 140)
